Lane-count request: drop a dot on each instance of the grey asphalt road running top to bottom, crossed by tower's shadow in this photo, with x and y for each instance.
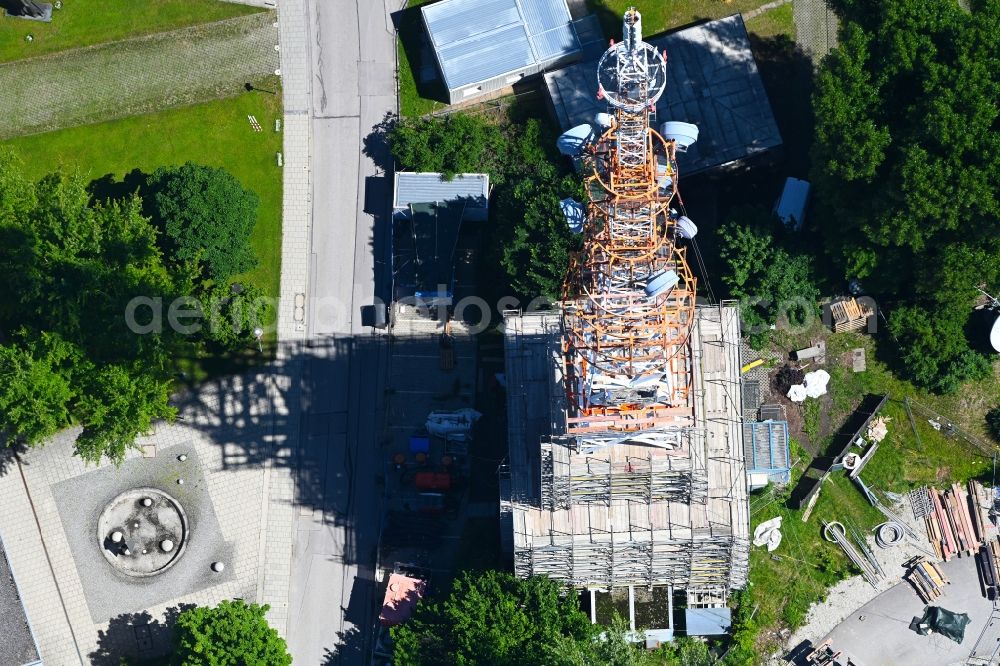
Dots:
(338, 512)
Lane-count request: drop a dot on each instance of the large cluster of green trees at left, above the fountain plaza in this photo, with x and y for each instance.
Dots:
(70, 353)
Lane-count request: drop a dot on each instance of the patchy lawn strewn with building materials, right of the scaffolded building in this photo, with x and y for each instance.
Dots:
(807, 565)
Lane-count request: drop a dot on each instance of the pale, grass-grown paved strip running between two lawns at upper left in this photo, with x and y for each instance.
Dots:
(137, 75)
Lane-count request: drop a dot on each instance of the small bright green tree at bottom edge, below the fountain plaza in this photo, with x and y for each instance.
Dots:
(233, 633)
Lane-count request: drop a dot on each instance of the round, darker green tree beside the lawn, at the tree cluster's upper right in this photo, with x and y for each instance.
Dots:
(206, 217)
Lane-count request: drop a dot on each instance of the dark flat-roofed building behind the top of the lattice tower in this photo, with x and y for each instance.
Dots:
(712, 81)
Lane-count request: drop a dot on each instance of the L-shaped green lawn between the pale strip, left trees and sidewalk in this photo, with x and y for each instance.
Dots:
(214, 133)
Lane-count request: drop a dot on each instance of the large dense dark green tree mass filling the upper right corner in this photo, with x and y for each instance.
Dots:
(906, 161)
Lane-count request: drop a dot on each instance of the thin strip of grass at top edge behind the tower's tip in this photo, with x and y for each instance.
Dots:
(660, 15)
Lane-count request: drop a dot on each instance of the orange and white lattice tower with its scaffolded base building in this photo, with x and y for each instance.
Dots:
(626, 471)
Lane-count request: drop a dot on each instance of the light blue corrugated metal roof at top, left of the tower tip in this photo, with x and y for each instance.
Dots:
(477, 40)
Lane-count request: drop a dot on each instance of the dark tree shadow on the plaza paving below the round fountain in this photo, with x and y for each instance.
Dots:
(137, 636)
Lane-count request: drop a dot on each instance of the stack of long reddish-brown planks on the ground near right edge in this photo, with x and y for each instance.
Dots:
(955, 523)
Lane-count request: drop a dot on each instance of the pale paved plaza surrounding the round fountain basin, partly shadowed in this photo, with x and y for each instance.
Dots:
(79, 606)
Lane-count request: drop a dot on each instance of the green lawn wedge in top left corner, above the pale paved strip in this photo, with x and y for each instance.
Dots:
(87, 22)
